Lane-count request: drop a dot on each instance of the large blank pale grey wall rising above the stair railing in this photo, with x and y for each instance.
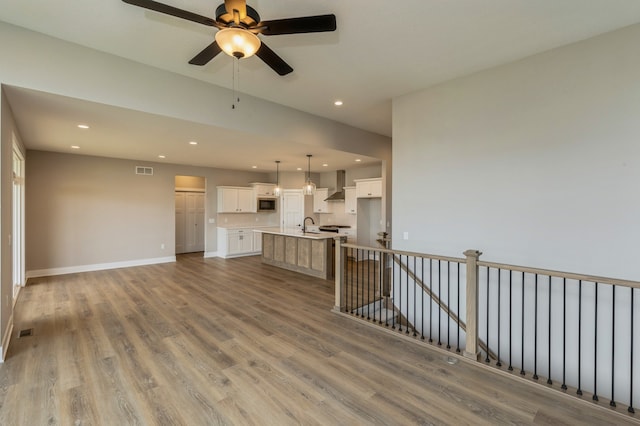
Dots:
(536, 162)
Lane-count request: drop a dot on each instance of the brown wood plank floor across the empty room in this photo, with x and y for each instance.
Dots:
(213, 341)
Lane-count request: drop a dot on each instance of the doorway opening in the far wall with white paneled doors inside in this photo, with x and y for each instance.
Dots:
(189, 214)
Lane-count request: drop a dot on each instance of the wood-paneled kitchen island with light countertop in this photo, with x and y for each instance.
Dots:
(310, 253)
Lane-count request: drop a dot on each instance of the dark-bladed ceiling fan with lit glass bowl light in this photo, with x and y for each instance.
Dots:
(238, 26)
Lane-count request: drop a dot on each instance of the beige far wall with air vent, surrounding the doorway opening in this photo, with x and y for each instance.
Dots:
(83, 212)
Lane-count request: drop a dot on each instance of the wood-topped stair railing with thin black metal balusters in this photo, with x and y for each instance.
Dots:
(571, 332)
